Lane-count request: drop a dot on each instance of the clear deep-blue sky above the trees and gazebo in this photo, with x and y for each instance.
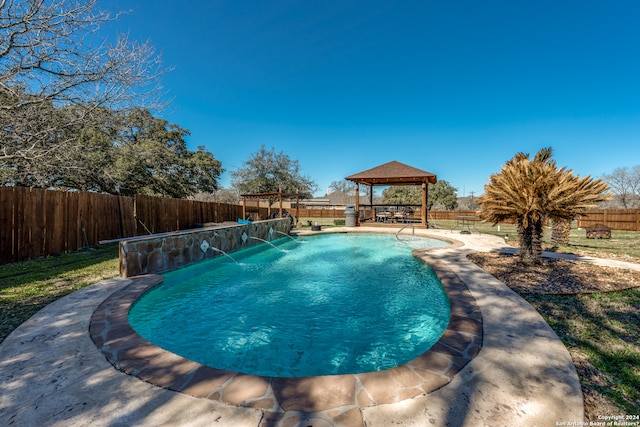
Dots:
(454, 88)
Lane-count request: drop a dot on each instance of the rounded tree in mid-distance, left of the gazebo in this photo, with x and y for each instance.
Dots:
(268, 172)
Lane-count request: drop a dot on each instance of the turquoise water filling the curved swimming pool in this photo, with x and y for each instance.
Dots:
(332, 304)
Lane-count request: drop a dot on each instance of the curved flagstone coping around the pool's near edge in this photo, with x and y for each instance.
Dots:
(339, 394)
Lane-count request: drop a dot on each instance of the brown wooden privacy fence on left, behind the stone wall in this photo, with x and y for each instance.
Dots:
(35, 223)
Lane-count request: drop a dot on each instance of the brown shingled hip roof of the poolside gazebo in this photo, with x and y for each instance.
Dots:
(393, 173)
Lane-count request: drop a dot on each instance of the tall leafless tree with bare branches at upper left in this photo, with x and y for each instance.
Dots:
(53, 57)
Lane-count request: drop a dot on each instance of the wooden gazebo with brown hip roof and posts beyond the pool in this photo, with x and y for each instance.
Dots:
(393, 173)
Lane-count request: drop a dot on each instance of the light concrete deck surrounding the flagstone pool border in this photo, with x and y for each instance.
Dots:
(53, 374)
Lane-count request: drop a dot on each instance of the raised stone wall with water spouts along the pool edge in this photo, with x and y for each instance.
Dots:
(159, 253)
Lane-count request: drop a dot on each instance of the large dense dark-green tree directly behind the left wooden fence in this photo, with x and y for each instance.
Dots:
(124, 152)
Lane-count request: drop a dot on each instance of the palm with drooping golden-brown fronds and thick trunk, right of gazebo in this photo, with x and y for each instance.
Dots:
(530, 191)
